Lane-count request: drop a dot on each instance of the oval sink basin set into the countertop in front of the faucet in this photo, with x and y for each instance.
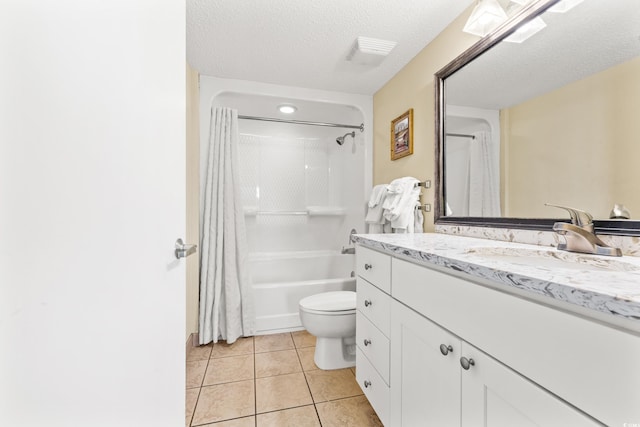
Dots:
(552, 258)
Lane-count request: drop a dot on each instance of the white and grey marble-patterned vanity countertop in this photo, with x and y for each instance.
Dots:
(609, 285)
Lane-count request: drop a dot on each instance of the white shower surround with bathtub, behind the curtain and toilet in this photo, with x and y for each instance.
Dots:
(302, 192)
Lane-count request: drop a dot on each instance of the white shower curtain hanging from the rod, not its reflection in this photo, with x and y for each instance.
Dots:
(226, 300)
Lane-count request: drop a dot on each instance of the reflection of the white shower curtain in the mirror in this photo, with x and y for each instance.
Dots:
(484, 186)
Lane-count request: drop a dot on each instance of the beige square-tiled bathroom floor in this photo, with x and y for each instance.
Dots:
(271, 381)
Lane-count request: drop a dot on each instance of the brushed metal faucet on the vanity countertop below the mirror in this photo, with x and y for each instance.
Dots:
(580, 235)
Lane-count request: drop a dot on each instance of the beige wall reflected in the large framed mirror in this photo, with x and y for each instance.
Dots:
(576, 146)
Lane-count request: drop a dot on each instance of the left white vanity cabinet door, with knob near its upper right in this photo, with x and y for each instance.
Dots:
(425, 383)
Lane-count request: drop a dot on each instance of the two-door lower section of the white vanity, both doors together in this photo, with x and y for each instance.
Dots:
(433, 387)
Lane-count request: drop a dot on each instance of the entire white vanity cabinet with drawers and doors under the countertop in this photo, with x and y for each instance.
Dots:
(462, 353)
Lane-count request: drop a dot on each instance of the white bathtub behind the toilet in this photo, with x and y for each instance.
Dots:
(280, 280)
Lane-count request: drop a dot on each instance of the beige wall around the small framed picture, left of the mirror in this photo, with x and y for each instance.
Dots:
(413, 87)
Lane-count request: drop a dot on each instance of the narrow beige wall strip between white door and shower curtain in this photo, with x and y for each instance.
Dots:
(192, 199)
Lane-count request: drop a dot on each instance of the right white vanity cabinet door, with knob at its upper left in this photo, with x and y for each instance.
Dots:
(495, 396)
